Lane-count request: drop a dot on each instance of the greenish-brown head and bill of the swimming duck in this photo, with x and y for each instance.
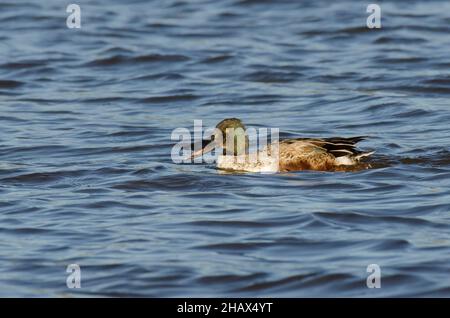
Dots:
(230, 135)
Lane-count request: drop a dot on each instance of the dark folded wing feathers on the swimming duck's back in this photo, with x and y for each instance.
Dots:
(337, 146)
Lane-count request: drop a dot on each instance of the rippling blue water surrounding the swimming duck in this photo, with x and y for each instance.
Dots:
(86, 175)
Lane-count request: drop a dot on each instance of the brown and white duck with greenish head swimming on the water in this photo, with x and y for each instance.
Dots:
(323, 154)
